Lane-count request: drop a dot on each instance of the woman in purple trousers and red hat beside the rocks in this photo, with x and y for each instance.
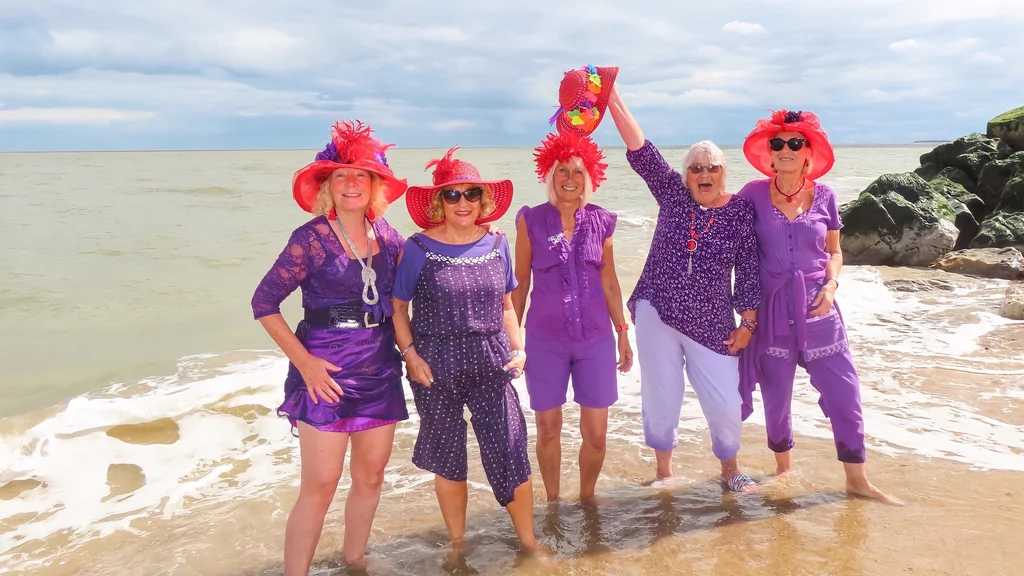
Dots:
(798, 229)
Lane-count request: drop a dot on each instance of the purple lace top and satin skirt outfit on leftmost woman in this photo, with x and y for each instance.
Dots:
(371, 371)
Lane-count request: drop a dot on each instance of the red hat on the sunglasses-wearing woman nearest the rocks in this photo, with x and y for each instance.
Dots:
(759, 155)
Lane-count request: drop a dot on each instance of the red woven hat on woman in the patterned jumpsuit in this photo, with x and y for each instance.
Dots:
(451, 172)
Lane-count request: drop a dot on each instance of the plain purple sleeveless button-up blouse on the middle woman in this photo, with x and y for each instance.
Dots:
(568, 300)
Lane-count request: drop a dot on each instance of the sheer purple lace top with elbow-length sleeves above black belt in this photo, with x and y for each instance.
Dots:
(315, 262)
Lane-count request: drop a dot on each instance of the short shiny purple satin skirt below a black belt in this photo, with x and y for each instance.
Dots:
(370, 379)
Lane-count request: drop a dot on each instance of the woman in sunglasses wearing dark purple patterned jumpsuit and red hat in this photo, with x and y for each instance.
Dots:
(462, 347)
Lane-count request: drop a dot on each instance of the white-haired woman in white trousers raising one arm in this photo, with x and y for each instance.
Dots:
(685, 301)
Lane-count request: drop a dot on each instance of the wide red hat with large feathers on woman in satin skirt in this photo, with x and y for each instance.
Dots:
(352, 146)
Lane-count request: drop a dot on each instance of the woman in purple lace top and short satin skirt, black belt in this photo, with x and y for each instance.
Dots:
(345, 376)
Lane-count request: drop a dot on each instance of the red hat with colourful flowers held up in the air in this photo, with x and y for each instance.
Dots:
(583, 99)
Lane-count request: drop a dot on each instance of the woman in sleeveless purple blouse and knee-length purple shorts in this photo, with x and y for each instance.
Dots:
(566, 245)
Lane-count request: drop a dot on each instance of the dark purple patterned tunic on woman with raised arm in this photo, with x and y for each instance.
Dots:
(696, 297)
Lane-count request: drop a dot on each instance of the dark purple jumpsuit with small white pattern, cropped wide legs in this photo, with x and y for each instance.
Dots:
(457, 326)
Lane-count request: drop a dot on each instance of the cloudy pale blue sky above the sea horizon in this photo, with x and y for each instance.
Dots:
(191, 74)
